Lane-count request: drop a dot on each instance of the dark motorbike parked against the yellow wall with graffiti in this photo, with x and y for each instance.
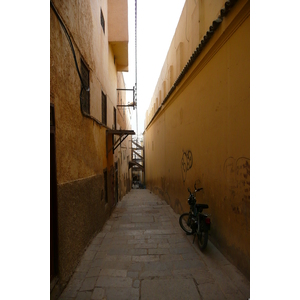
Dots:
(195, 222)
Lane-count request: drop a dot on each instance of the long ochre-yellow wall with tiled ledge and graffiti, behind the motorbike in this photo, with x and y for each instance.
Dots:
(197, 127)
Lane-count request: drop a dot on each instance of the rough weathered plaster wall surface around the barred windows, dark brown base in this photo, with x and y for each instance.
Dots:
(80, 141)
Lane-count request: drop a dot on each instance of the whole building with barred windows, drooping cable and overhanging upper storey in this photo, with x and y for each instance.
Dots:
(88, 53)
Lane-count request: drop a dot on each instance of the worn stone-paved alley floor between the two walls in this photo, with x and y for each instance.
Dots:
(142, 253)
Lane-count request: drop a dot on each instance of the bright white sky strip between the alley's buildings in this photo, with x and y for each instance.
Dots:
(156, 24)
